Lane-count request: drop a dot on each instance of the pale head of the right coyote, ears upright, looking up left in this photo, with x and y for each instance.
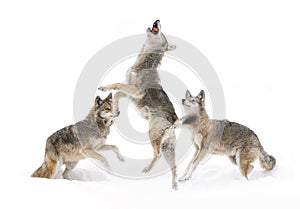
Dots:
(197, 102)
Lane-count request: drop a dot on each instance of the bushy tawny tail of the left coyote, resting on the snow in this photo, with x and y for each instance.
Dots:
(48, 168)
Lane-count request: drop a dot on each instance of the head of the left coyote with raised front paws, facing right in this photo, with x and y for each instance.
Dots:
(103, 108)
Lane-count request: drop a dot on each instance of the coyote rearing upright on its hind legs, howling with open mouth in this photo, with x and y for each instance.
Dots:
(143, 87)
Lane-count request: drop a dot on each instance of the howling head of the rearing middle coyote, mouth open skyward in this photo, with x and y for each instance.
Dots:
(156, 41)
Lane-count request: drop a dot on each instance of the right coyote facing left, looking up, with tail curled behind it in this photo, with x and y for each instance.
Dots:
(234, 140)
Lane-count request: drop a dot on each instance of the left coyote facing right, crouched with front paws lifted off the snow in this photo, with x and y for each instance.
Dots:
(79, 141)
